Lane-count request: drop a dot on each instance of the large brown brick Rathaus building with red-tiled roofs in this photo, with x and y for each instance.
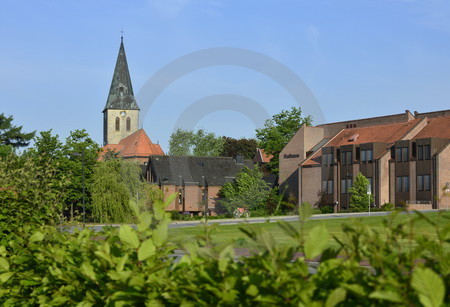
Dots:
(406, 158)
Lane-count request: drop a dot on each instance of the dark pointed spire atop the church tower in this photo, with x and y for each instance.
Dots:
(121, 94)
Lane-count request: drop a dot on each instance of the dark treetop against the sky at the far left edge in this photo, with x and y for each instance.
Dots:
(13, 135)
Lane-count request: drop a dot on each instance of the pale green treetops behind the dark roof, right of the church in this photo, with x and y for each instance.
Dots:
(189, 143)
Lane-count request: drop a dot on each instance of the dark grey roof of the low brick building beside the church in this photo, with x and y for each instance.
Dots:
(188, 170)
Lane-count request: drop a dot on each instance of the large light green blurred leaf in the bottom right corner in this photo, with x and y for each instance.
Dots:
(429, 286)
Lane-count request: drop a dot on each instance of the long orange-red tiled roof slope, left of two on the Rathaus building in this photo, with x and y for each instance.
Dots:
(381, 134)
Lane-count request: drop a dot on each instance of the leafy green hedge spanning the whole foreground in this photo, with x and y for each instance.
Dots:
(134, 267)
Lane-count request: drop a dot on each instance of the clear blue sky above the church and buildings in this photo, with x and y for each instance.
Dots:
(359, 59)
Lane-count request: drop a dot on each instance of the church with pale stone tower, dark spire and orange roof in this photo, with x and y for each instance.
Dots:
(121, 132)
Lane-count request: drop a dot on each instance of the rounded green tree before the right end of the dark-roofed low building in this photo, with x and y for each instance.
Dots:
(248, 190)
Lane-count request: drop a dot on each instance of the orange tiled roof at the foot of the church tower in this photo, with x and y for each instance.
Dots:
(137, 144)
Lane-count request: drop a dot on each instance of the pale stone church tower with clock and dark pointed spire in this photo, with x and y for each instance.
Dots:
(121, 113)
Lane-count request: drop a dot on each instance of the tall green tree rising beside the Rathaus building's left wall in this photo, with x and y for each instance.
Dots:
(278, 131)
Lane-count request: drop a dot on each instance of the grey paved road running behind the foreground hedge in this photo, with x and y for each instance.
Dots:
(254, 220)
